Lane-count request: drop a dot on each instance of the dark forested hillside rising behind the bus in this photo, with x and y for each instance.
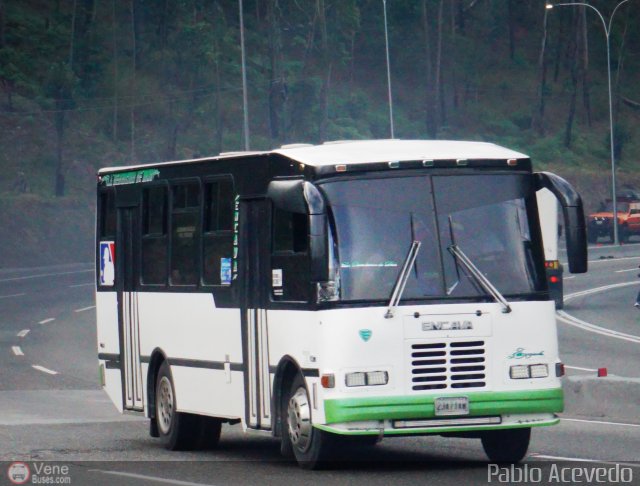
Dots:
(90, 83)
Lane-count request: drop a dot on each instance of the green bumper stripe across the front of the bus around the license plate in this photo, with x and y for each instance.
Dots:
(414, 407)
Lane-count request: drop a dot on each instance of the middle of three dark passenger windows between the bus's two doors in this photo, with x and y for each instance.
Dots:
(185, 222)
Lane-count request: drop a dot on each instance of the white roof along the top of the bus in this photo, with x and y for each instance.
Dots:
(367, 151)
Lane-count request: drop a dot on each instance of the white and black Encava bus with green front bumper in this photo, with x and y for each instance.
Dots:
(333, 294)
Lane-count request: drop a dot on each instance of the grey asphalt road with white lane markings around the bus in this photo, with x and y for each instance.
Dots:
(65, 417)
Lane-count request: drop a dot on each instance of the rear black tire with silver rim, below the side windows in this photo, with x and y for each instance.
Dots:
(177, 431)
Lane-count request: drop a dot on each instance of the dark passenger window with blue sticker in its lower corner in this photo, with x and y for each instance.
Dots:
(218, 232)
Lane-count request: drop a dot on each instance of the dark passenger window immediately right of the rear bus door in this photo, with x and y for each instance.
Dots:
(154, 236)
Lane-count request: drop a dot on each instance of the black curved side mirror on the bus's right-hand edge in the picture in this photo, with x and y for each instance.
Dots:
(574, 222)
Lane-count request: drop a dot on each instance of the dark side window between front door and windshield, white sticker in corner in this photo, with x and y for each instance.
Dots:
(290, 258)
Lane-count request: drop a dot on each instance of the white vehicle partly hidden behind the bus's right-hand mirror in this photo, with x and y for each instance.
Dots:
(548, 209)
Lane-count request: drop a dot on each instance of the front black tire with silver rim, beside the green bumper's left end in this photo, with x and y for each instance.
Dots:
(311, 447)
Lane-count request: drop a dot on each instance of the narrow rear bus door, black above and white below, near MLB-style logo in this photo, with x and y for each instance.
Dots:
(128, 315)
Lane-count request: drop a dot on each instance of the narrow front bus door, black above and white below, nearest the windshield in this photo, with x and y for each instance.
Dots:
(255, 217)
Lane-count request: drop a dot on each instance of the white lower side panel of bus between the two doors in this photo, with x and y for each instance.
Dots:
(203, 345)
